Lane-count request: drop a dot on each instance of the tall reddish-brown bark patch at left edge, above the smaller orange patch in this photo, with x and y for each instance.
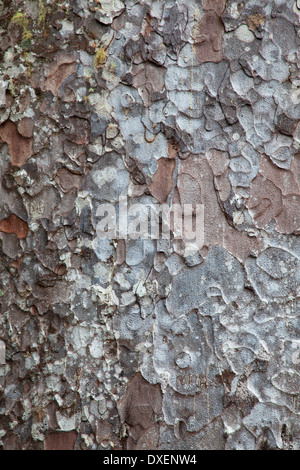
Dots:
(19, 147)
